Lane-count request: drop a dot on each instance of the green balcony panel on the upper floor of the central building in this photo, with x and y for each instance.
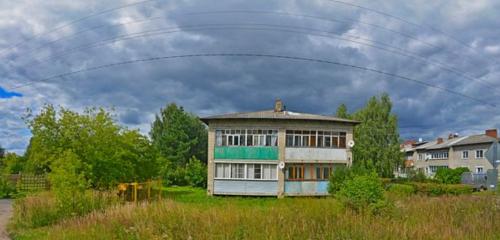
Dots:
(257, 153)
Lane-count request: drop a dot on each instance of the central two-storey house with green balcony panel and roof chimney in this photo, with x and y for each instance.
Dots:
(275, 152)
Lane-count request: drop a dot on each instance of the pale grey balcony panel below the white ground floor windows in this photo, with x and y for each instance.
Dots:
(246, 187)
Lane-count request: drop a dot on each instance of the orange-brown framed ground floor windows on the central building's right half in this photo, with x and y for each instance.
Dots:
(308, 172)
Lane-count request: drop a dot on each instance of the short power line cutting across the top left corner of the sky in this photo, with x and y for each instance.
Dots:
(73, 22)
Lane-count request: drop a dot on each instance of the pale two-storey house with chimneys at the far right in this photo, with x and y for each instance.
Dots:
(453, 152)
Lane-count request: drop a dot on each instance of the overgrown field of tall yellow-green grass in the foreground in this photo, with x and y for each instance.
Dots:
(188, 214)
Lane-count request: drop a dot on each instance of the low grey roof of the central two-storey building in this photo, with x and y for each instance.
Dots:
(278, 115)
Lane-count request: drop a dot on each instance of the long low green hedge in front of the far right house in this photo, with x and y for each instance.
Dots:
(436, 189)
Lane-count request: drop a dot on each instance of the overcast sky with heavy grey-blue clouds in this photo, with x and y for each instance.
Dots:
(454, 45)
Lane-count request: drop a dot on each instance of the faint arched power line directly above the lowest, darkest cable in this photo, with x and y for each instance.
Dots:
(270, 27)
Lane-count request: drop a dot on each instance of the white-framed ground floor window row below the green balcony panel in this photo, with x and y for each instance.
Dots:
(246, 171)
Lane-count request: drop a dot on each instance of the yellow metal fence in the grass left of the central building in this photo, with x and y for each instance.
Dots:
(145, 191)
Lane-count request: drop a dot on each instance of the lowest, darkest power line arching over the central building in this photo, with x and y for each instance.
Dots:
(315, 60)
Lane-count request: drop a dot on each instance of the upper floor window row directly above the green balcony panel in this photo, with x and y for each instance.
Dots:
(246, 137)
